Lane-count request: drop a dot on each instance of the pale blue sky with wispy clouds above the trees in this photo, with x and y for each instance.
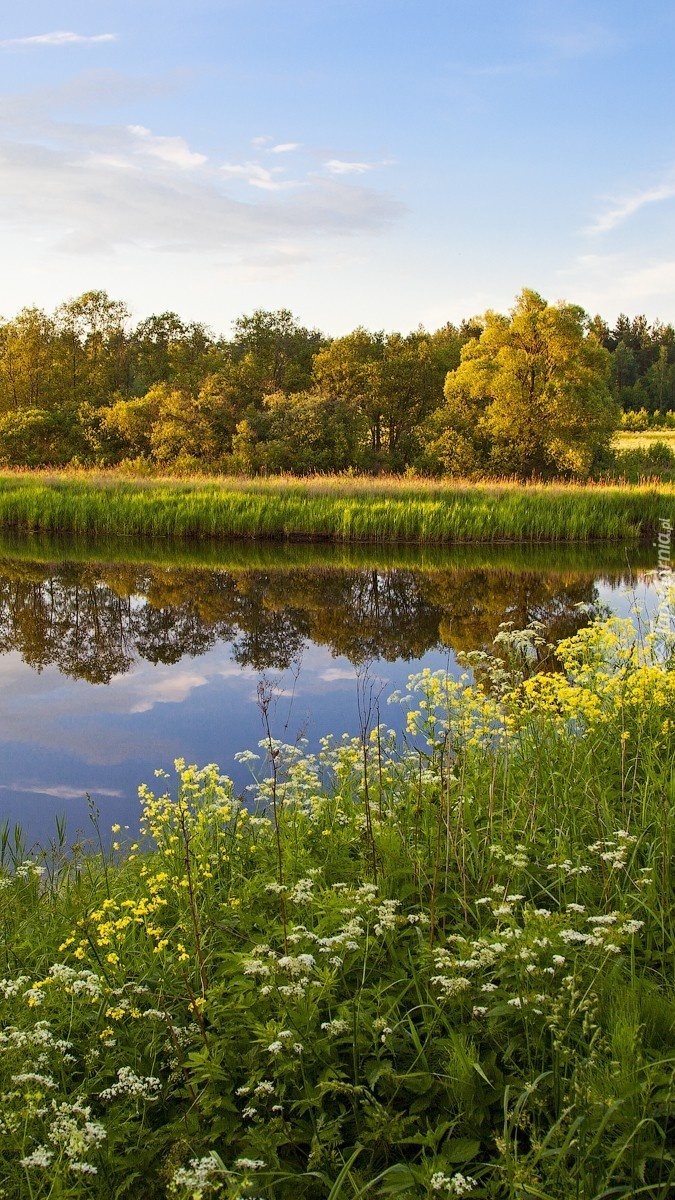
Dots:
(363, 163)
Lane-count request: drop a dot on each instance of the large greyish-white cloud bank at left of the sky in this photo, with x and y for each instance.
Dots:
(89, 188)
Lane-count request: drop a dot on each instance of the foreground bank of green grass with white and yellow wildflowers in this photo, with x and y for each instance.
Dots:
(426, 969)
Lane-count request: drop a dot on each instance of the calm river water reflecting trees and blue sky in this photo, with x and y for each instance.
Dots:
(116, 661)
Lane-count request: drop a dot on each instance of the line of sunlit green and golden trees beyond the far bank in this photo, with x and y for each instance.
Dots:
(539, 391)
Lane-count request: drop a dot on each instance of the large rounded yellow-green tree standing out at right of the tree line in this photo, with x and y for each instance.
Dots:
(530, 398)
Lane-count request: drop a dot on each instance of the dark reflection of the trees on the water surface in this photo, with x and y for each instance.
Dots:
(94, 621)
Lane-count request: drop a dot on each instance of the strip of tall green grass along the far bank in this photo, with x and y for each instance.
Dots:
(332, 508)
